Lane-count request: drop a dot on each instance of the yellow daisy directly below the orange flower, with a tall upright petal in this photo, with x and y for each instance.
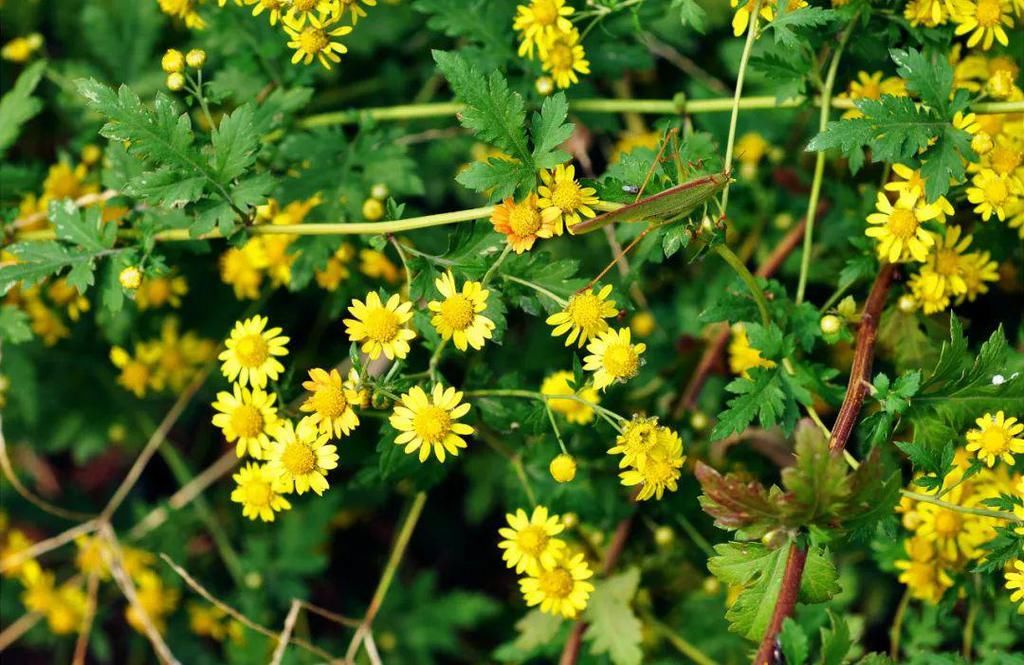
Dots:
(459, 317)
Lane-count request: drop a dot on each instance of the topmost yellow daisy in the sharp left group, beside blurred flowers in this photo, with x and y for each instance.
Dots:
(251, 353)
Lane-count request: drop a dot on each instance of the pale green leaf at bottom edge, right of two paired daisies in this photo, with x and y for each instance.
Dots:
(615, 629)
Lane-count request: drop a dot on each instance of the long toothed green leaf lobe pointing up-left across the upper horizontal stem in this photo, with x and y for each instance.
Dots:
(493, 112)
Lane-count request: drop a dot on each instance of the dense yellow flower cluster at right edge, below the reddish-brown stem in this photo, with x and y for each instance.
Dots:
(949, 529)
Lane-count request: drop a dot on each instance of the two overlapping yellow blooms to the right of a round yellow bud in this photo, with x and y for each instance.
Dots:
(653, 455)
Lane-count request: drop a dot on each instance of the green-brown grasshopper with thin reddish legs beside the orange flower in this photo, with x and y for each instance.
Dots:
(659, 210)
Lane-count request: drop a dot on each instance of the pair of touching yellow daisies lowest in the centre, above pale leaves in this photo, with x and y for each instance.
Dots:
(554, 576)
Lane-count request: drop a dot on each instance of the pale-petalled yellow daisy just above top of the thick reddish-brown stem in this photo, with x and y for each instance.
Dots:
(899, 228)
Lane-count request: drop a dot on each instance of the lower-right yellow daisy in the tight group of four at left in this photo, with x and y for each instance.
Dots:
(300, 456)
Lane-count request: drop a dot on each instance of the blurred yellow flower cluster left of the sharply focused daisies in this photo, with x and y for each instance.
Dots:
(166, 363)
